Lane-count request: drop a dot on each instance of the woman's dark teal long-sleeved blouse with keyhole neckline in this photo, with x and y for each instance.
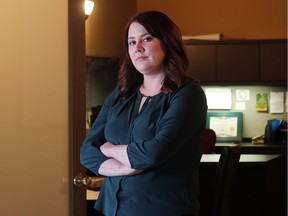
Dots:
(163, 139)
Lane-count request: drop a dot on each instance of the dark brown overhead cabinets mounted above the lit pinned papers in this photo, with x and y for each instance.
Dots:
(254, 62)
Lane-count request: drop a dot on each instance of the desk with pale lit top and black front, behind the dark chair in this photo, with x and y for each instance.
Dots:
(259, 189)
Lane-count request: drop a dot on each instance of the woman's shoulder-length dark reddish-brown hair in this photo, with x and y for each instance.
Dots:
(175, 62)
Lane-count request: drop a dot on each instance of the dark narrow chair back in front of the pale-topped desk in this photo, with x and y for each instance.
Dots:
(224, 180)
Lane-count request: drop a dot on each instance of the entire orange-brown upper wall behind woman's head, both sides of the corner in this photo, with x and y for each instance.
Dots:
(244, 19)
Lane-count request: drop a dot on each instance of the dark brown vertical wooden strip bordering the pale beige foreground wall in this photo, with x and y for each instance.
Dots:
(77, 129)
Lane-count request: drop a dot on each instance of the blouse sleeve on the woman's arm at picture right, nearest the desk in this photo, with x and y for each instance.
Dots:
(182, 124)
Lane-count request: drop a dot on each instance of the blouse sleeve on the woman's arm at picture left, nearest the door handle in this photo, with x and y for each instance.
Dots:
(90, 155)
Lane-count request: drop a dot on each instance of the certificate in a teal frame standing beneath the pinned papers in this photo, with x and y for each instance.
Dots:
(228, 126)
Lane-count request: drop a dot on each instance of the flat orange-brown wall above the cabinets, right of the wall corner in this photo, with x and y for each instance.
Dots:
(243, 19)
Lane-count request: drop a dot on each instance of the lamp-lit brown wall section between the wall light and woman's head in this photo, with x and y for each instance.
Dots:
(104, 27)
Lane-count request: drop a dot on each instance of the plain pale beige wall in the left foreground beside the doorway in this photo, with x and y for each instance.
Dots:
(34, 106)
